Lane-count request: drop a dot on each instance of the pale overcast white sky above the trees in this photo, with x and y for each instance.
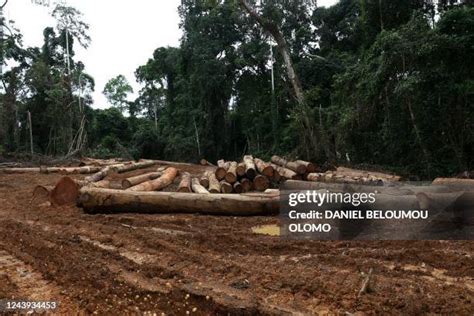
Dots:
(124, 33)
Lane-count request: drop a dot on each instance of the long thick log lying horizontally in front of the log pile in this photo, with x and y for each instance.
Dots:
(112, 201)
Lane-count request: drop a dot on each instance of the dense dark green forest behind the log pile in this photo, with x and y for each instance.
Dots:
(387, 83)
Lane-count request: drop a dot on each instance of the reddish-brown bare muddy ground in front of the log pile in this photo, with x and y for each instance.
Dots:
(205, 265)
